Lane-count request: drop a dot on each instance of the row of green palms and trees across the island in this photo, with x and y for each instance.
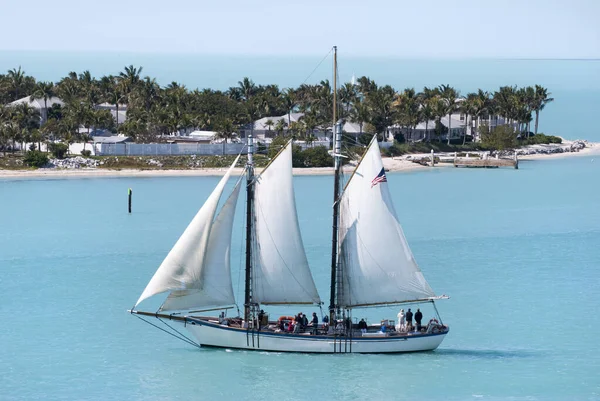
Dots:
(154, 111)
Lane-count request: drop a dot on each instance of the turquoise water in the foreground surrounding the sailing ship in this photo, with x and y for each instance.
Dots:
(516, 250)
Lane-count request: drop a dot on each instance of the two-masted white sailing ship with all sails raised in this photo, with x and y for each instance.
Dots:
(371, 265)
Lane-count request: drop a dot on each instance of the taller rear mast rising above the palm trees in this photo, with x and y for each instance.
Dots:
(337, 139)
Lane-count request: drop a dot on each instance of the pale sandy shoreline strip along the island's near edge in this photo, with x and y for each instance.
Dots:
(397, 164)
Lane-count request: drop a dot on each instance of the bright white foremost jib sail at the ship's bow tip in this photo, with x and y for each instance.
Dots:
(182, 268)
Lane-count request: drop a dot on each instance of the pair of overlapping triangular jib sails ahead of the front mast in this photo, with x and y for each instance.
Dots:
(201, 253)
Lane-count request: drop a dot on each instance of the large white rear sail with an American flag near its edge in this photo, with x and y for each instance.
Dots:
(378, 266)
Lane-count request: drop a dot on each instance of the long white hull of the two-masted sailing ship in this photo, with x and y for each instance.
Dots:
(215, 335)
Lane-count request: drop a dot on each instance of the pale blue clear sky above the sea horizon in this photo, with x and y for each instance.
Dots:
(394, 28)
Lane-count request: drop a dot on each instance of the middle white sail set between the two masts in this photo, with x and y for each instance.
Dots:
(281, 274)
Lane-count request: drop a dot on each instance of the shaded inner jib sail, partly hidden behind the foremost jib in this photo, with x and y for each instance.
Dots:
(215, 287)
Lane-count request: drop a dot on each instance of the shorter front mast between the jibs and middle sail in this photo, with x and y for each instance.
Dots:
(249, 207)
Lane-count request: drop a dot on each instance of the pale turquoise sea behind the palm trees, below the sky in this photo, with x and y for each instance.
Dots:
(575, 84)
